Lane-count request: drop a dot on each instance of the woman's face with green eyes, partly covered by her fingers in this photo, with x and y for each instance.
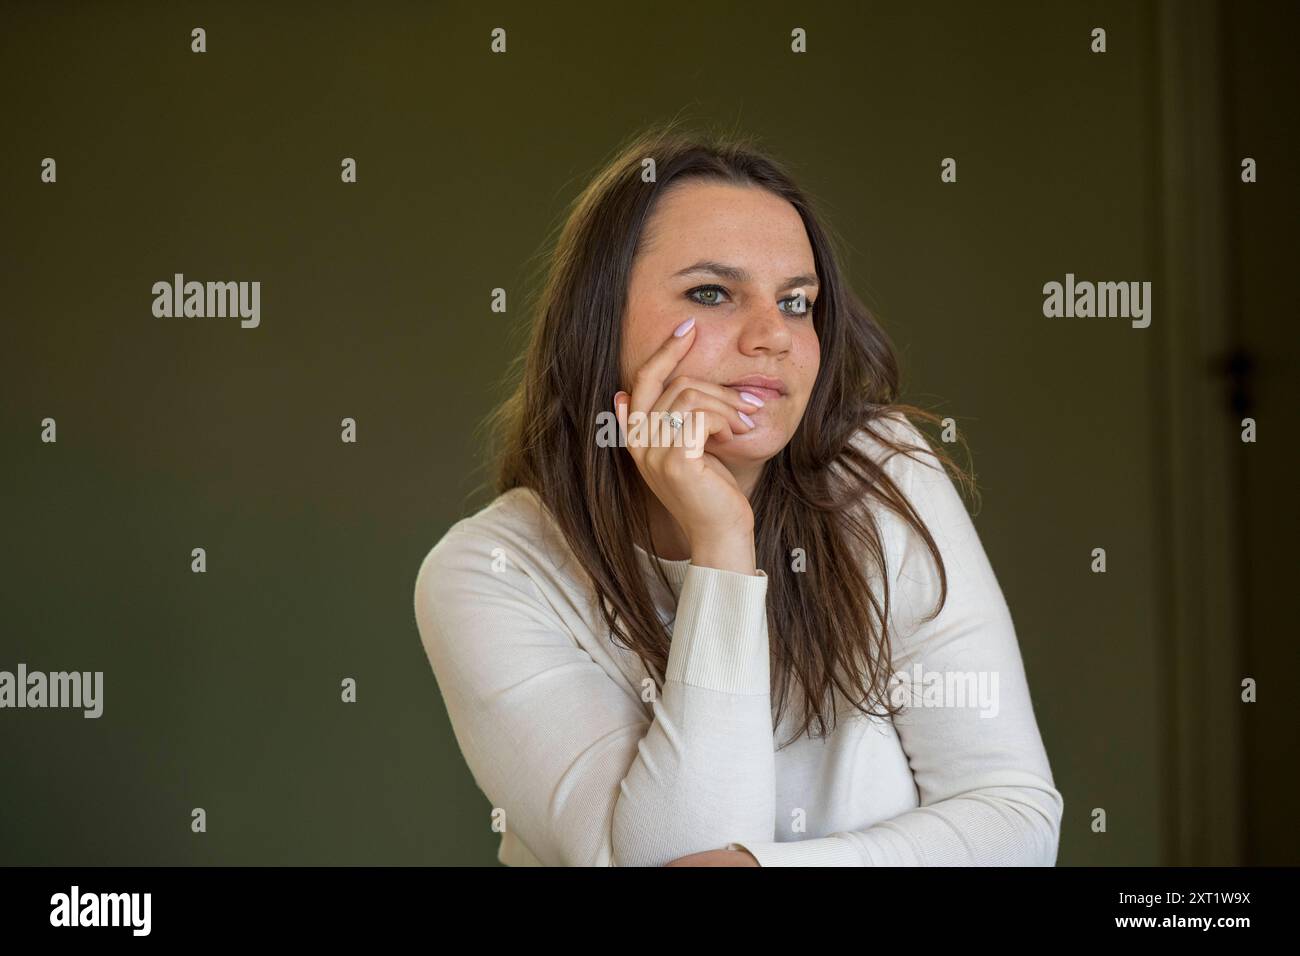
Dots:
(733, 258)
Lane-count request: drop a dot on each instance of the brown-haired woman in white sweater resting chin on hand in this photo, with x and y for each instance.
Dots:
(751, 628)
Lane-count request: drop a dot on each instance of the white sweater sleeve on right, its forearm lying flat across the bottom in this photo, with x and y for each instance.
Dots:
(986, 790)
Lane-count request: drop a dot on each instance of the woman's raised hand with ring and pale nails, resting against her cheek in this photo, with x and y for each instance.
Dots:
(696, 488)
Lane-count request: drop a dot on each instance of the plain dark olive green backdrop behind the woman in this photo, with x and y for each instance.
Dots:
(223, 690)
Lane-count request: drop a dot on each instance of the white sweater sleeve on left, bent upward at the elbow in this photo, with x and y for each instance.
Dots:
(566, 751)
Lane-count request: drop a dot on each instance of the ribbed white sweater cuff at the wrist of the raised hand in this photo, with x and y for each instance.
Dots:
(720, 637)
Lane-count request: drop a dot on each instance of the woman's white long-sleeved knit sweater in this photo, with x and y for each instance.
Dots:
(583, 767)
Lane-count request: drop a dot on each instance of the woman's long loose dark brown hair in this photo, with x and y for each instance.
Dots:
(829, 630)
